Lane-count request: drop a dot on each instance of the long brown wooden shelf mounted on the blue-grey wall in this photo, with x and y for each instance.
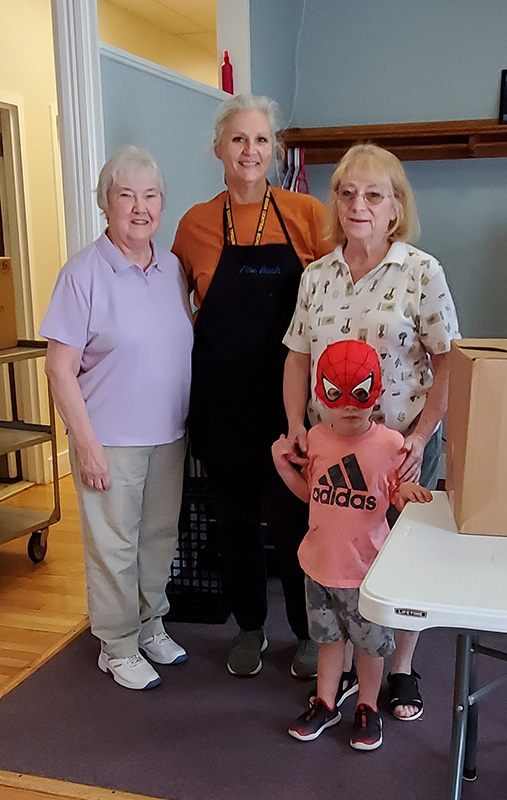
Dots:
(411, 141)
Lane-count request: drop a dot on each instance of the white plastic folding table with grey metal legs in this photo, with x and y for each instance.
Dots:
(427, 575)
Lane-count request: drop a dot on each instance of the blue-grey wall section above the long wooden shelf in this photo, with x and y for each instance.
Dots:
(374, 61)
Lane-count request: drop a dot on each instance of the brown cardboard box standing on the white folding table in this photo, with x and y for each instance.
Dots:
(476, 454)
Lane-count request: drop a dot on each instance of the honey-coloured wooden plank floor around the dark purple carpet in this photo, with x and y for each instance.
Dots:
(42, 608)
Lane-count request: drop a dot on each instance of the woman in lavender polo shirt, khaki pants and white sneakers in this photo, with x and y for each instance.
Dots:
(118, 360)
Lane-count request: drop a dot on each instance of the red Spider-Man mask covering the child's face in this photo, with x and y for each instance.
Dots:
(348, 374)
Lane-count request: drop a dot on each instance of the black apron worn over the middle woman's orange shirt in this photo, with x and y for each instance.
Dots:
(238, 355)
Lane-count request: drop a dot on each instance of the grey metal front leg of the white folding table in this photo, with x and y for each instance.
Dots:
(460, 715)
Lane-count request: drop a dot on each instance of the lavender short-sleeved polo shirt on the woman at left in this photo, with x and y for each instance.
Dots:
(135, 330)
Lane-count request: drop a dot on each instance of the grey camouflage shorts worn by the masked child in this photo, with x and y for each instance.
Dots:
(333, 615)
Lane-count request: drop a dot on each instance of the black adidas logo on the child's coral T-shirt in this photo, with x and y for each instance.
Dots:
(344, 485)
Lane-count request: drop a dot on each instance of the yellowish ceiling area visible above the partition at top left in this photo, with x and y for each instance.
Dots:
(192, 20)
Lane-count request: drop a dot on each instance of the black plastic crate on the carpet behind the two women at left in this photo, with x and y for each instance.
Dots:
(195, 587)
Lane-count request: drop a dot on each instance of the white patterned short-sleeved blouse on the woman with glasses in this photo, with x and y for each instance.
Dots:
(402, 307)
